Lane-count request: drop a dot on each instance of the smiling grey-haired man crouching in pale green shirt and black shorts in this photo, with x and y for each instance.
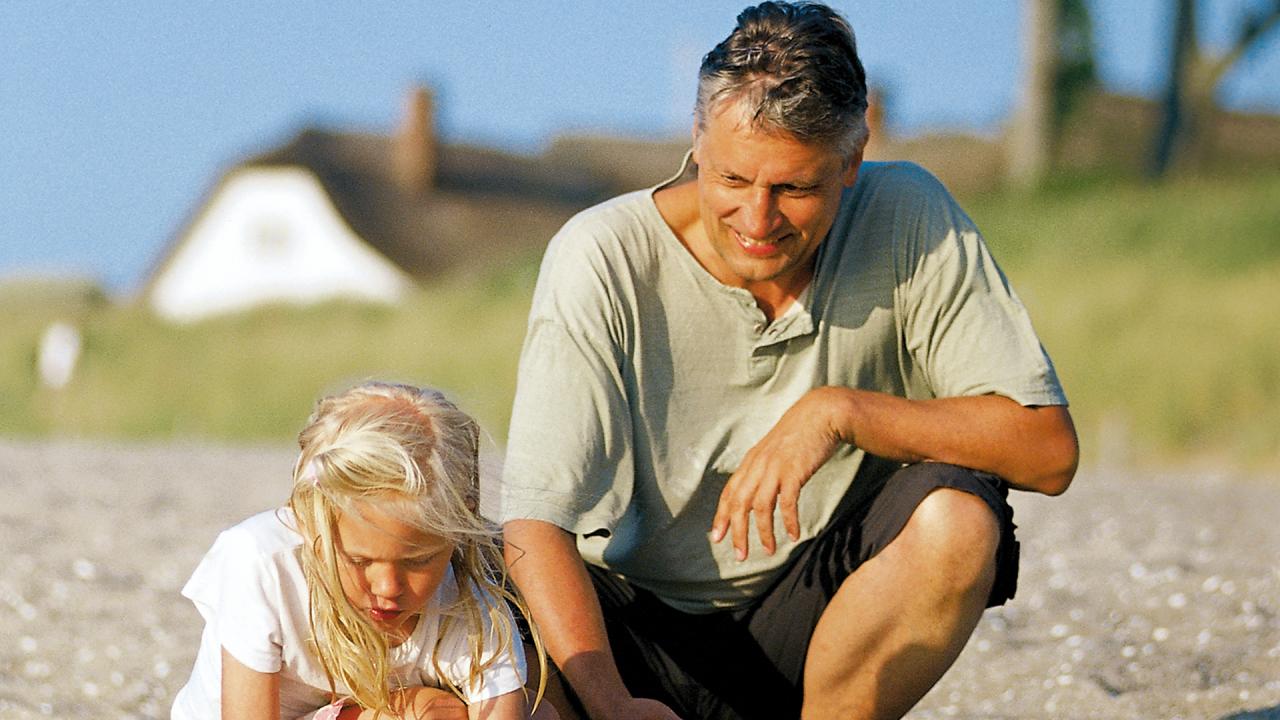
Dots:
(766, 420)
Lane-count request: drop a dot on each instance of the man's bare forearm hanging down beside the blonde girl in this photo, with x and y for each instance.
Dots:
(554, 580)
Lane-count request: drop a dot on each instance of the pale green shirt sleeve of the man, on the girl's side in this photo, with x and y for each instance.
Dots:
(569, 448)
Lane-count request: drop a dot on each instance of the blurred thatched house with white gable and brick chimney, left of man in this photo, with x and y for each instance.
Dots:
(364, 216)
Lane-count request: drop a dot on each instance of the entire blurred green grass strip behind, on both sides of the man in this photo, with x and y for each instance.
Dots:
(1159, 304)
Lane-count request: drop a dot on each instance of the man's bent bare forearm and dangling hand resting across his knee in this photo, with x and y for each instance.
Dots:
(1034, 449)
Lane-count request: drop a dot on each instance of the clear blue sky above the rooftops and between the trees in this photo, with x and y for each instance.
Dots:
(117, 117)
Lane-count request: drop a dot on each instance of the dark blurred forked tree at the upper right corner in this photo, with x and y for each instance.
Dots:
(1195, 75)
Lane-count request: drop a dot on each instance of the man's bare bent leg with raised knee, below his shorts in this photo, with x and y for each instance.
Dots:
(902, 618)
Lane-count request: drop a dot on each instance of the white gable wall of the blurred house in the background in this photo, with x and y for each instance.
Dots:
(271, 235)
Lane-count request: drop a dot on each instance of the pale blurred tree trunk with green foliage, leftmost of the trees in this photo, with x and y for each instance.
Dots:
(1058, 45)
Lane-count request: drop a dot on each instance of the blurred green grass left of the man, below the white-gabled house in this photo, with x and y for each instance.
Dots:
(257, 376)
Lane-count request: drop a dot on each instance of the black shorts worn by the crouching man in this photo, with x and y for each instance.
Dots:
(749, 663)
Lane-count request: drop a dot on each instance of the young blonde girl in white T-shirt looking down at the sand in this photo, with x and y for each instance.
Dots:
(377, 591)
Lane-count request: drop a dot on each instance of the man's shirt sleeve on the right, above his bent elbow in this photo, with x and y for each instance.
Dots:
(964, 325)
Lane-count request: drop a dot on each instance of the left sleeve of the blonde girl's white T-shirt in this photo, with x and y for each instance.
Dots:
(236, 590)
